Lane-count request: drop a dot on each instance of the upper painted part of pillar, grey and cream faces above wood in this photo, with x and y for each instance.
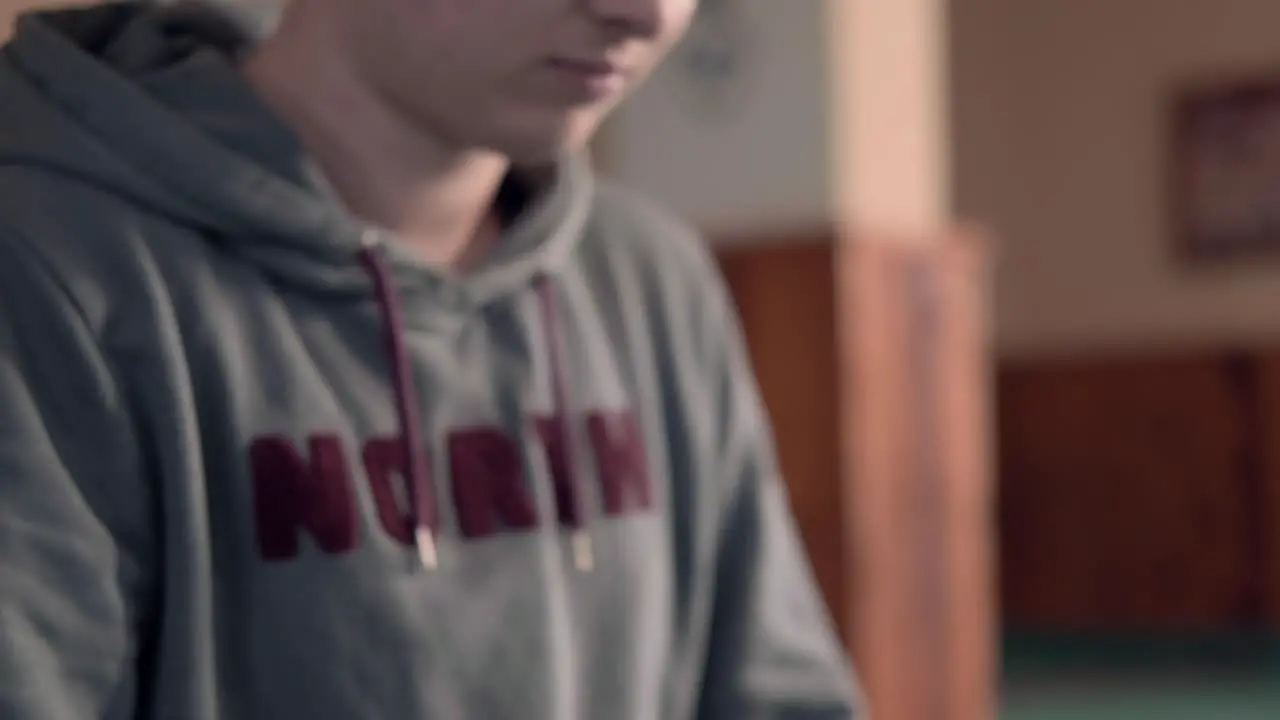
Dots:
(843, 119)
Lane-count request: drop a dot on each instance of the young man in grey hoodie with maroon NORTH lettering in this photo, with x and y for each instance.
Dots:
(335, 388)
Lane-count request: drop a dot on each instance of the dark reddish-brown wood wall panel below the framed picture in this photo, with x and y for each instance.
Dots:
(1124, 495)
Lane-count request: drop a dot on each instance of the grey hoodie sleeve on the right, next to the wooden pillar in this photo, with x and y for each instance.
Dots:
(774, 651)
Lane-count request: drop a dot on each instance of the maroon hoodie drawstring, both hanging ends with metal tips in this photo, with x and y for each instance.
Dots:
(418, 471)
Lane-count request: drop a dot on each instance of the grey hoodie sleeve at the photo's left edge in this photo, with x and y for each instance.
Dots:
(71, 503)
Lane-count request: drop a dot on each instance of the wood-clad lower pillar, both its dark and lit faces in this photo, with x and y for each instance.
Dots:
(872, 362)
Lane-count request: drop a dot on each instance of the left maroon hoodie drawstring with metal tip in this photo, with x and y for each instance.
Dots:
(418, 471)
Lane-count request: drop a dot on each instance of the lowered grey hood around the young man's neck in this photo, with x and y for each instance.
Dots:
(145, 102)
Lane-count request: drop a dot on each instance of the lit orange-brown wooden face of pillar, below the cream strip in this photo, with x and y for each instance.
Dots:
(917, 477)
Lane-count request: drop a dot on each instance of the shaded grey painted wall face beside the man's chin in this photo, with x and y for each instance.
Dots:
(767, 161)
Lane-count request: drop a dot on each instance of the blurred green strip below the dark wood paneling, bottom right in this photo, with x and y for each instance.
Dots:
(1208, 678)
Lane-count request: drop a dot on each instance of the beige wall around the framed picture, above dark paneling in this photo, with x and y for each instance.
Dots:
(1060, 135)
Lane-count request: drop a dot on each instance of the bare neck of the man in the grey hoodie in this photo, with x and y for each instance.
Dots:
(386, 170)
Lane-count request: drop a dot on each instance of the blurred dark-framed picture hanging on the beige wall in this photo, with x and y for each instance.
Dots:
(1227, 171)
